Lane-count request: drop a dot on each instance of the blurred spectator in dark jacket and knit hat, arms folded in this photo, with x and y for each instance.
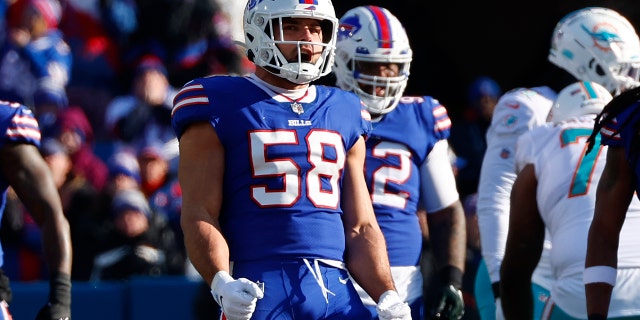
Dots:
(136, 243)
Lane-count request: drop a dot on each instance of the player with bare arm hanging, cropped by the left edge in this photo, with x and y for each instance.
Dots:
(24, 170)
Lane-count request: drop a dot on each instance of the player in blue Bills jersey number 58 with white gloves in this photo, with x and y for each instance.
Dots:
(276, 213)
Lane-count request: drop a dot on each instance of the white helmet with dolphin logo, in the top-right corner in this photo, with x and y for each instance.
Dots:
(600, 45)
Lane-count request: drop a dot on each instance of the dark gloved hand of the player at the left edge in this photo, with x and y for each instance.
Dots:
(59, 305)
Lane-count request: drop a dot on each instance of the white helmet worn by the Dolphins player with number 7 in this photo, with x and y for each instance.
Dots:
(579, 99)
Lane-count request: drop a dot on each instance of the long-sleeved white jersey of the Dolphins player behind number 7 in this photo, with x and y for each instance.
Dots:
(517, 111)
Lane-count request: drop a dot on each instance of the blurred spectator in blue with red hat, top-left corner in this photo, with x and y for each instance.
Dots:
(34, 57)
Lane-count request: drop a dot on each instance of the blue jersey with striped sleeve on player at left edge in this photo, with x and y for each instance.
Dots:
(18, 125)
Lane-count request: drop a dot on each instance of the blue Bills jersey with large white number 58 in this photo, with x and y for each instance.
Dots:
(283, 170)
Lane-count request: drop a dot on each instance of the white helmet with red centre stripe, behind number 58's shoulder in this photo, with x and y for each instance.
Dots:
(371, 34)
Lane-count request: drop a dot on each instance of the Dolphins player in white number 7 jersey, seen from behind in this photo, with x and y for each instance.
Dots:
(556, 189)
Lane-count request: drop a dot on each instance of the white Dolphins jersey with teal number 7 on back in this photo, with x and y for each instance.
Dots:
(567, 181)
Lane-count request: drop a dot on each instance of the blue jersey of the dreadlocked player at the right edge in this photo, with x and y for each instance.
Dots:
(625, 137)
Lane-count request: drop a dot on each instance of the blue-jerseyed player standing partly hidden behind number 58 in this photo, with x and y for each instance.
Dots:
(407, 158)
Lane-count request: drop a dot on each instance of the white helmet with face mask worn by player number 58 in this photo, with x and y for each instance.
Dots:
(261, 17)
